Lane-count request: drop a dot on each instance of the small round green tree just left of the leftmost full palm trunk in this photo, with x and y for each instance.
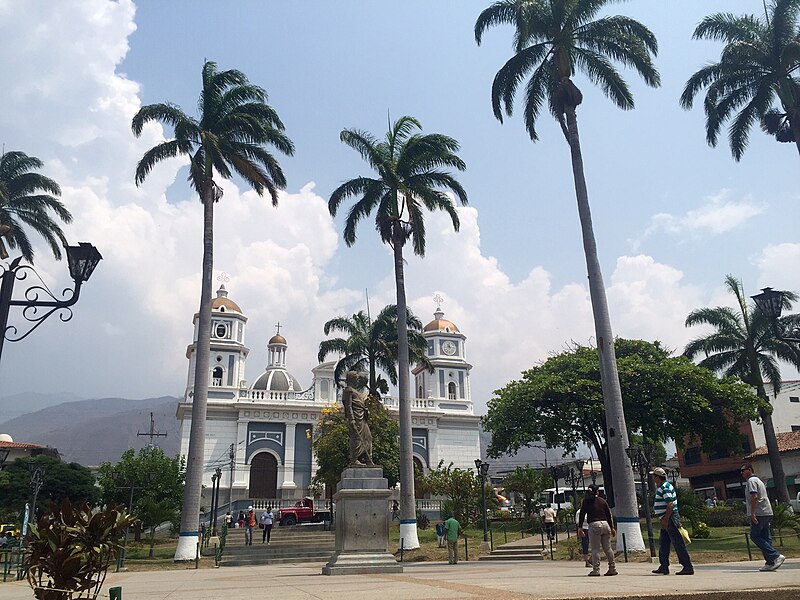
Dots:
(151, 479)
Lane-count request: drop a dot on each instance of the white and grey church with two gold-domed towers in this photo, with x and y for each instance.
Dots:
(259, 435)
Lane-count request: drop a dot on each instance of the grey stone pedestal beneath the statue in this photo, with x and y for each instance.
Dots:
(362, 524)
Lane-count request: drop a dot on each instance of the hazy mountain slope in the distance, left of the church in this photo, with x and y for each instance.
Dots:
(93, 431)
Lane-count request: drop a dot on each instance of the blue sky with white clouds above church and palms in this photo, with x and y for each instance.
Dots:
(672, 216)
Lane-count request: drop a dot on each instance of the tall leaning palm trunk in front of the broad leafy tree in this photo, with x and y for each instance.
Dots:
(617, 431)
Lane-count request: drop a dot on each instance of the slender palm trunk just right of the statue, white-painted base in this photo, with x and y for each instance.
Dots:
(408, 505)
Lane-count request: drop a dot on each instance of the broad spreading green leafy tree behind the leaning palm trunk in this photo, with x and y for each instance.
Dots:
(560, 402)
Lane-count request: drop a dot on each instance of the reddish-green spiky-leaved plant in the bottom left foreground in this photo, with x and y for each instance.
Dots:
(71, 548)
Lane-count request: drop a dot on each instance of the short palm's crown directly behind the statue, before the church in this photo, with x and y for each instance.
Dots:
(372, 345)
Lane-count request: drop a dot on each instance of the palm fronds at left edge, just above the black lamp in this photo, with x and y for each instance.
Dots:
(27, 197)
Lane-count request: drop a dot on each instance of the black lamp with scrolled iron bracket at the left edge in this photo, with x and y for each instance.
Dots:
(39, 302)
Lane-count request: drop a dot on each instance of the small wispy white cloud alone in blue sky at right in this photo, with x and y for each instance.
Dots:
(717, 214)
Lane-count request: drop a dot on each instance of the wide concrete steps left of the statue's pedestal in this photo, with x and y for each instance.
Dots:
(294, 544)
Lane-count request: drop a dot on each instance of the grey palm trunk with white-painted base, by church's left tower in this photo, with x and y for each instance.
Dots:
(190, 513)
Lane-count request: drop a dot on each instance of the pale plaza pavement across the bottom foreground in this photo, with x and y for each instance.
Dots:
(467, 580)
